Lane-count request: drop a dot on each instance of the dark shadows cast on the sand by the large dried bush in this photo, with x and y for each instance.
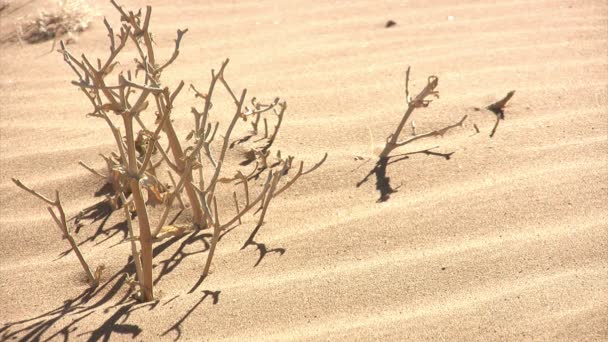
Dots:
(112, 296)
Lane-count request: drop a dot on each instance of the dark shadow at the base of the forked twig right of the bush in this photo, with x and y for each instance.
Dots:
(383, 184)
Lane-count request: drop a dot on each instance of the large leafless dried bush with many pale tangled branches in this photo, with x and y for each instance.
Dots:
(122, 99)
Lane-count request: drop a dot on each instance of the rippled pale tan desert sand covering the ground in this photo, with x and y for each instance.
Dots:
(507, 240)
